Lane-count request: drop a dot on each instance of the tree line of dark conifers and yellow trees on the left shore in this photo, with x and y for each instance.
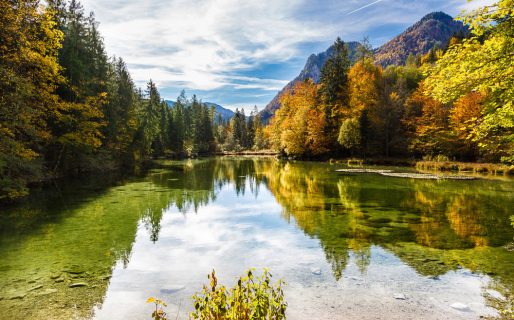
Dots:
(67, 108)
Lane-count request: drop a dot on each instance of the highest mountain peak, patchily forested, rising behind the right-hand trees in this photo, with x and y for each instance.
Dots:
(433, 30)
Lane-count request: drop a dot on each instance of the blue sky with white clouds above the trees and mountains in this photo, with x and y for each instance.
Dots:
(240, 53)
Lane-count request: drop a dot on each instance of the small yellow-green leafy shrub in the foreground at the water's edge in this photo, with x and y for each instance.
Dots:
(253, 297)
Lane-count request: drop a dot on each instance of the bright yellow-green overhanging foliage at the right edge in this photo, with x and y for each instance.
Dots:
(483, 63)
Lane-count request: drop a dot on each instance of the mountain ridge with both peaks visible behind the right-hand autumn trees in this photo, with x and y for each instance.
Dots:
(434, 29)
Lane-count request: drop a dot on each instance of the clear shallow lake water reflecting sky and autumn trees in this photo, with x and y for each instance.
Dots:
(370, 237)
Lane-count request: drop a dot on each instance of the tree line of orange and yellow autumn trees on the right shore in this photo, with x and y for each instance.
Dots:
(452, 104)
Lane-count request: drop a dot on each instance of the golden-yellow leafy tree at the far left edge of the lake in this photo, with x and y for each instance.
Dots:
(29, 75)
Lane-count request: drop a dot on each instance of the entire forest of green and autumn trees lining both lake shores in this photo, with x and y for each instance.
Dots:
(68, 109)
